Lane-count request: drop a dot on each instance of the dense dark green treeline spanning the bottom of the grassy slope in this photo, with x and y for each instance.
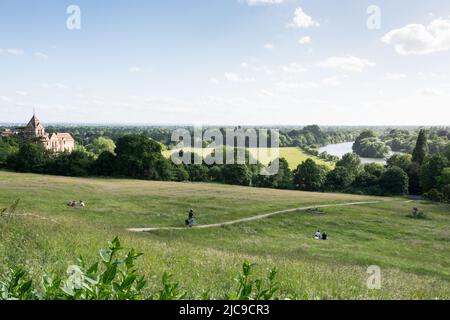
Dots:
(137, 156)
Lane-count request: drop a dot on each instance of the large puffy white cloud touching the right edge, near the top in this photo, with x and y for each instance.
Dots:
(420, 39)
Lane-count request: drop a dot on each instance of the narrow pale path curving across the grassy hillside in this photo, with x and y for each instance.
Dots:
(258, 217)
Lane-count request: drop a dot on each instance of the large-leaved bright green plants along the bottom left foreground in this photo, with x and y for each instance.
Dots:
(115, 277)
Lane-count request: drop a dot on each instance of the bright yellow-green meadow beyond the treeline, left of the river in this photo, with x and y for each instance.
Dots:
(294, 156)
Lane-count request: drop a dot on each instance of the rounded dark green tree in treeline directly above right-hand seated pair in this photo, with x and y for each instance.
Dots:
(309, 176)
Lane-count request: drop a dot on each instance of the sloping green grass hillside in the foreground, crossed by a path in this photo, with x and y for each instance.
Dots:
(414, 255)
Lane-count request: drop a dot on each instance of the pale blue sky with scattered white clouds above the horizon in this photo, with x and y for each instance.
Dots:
(226, 62)
